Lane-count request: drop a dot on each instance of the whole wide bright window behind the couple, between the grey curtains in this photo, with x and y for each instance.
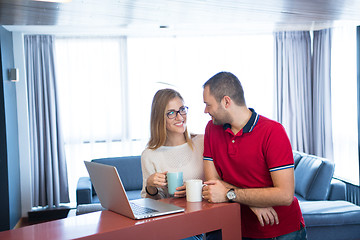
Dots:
(106, 86)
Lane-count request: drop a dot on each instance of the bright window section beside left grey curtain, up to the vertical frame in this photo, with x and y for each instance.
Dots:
(92, 88)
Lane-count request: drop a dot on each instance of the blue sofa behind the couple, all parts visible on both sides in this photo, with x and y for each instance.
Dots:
(322, 198)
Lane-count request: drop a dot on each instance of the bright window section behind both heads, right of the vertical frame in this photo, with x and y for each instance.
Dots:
(185, 63)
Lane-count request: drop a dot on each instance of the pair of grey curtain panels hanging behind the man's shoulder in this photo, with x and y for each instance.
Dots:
(302, 90)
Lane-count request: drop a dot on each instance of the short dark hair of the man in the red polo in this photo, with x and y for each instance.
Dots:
(226, 84)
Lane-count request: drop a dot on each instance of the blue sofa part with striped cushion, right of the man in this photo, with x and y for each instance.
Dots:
(322, 200)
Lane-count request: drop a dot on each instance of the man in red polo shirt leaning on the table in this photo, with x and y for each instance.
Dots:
(248, 159)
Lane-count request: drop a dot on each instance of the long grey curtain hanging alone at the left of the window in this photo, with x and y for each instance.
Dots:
(49, 171)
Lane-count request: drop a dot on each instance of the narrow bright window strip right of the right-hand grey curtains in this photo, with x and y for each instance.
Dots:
(343, 101)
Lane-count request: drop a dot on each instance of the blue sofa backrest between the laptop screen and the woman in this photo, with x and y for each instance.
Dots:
(129, 169)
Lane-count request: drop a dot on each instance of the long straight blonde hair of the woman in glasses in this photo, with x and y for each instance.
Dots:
(158, 118)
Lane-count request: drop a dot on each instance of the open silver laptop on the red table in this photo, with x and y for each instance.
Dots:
(112, 195)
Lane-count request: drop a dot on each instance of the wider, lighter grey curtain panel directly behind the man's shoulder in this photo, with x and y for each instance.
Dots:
(293, 104)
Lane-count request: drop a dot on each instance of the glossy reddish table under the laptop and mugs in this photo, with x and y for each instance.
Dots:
(198, 218)
